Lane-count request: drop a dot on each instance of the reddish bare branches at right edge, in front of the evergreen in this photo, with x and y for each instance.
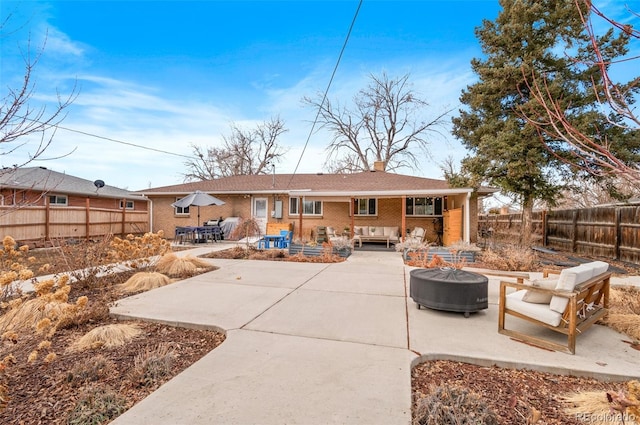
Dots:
(595, 152)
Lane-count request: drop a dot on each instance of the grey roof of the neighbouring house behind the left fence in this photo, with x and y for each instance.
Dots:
(45, 180)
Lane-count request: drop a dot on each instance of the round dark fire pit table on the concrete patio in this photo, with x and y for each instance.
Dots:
(449, 289)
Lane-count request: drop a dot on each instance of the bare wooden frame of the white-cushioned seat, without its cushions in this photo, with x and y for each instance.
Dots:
(594, 292)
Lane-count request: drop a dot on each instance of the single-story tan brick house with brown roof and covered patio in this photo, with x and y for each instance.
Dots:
(342, 201)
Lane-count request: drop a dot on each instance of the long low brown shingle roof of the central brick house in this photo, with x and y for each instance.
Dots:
(379, 183)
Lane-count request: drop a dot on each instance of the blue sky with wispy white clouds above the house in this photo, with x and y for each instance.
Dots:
(165, 75)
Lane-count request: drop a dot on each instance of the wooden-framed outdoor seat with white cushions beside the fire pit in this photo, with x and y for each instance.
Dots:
(578, 300)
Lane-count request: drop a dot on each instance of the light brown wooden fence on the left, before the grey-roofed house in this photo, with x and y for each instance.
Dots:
(41, 223)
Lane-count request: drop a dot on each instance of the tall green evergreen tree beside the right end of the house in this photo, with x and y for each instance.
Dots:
(528, 39)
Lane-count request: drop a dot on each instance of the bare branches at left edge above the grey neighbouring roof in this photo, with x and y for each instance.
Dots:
(19, 118)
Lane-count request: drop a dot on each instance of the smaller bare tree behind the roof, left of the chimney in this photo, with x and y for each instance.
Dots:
(244, 152)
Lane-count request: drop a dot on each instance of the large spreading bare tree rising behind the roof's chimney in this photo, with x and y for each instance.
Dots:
(382, 125)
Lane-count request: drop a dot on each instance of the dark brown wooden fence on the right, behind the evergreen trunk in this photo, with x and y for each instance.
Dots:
(609, 232)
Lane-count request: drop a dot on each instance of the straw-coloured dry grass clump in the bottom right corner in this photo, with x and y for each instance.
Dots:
(594, 407)
